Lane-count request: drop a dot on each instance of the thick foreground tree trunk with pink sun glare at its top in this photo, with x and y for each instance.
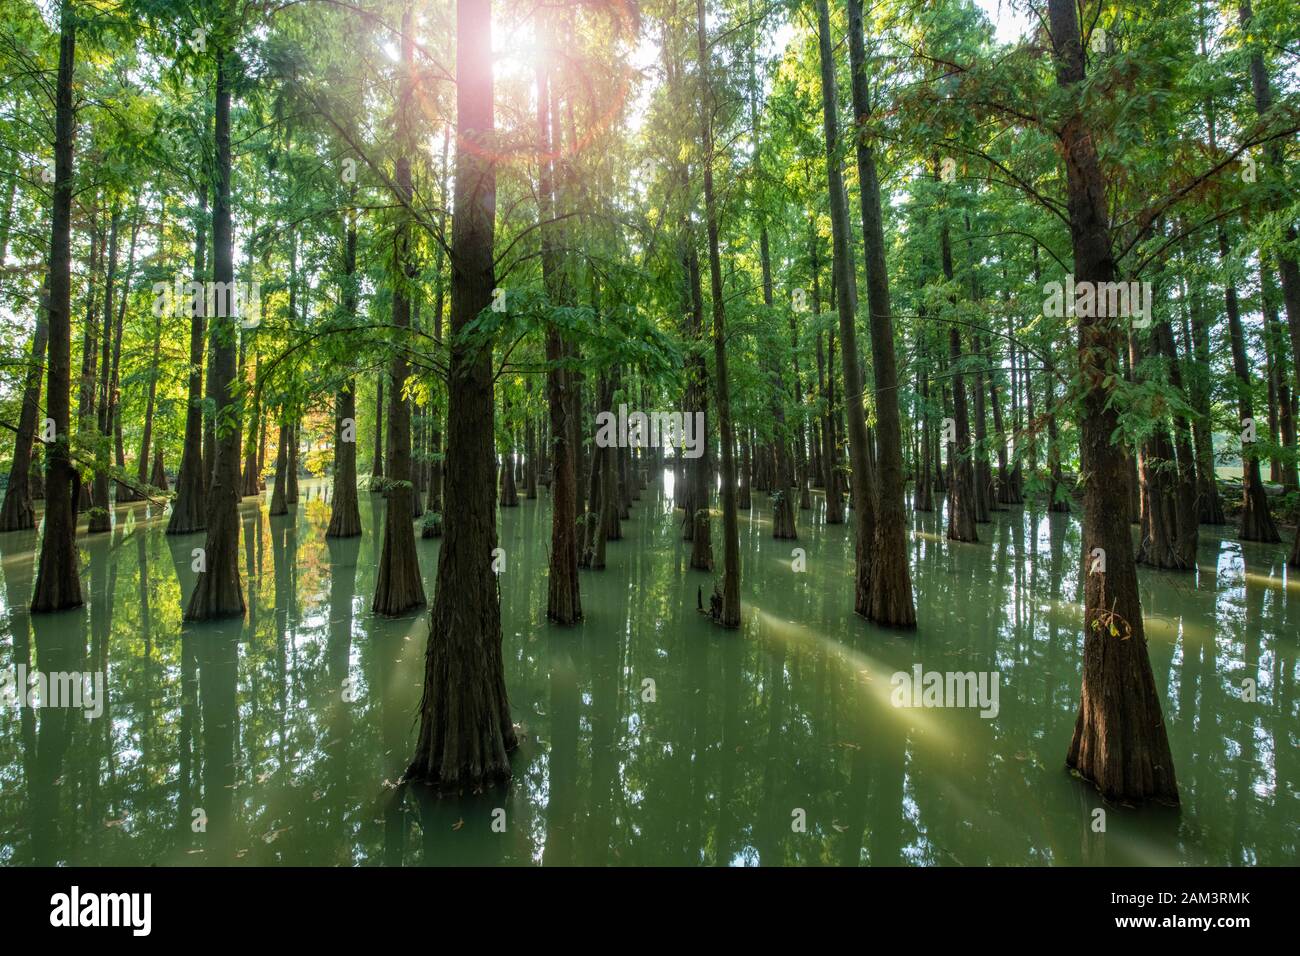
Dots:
(466, 729)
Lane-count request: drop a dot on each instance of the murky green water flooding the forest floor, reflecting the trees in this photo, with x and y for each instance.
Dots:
(244, 728)
